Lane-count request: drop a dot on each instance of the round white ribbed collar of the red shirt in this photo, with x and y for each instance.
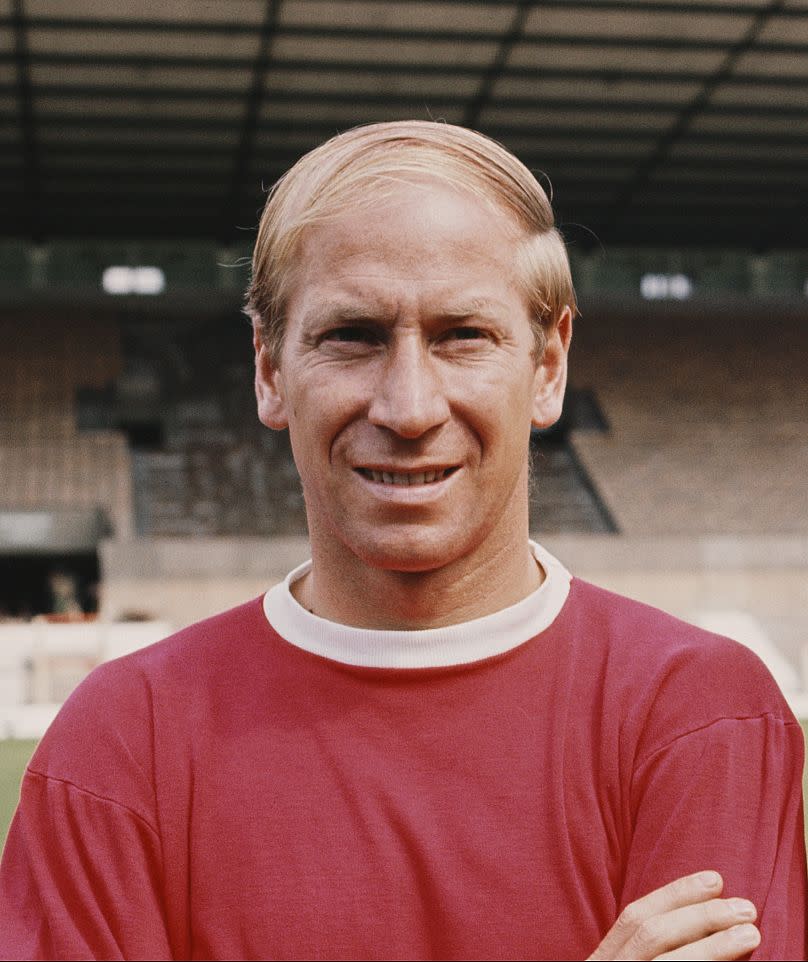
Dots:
(424, 648)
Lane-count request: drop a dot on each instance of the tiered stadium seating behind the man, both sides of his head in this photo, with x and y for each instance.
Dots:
(695, 444)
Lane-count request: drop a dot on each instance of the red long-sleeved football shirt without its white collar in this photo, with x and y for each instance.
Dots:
(227, 795)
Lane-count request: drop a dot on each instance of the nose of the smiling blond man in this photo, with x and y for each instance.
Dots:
(408, 397)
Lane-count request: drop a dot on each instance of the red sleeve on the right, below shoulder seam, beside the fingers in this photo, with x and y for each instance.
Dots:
(728, 796)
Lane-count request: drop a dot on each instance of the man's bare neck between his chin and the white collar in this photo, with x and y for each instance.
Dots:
(343, 588)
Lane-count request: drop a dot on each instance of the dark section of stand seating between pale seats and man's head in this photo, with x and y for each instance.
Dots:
(207, 467)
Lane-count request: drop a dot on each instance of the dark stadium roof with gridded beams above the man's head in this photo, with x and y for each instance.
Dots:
(657, 122)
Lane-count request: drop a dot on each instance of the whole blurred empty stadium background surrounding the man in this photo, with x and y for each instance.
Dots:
(138, 492)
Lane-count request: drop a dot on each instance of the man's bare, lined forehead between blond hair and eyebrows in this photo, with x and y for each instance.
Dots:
(426, 238)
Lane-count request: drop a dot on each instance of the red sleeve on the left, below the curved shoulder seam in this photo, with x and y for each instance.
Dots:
(81, 878)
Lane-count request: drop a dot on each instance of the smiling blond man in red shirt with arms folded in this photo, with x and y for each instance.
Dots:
(430, 741)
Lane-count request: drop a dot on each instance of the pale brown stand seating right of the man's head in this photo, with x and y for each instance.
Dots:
(708, 416)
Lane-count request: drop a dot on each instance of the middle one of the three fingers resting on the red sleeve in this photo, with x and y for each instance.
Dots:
(684, 926)
